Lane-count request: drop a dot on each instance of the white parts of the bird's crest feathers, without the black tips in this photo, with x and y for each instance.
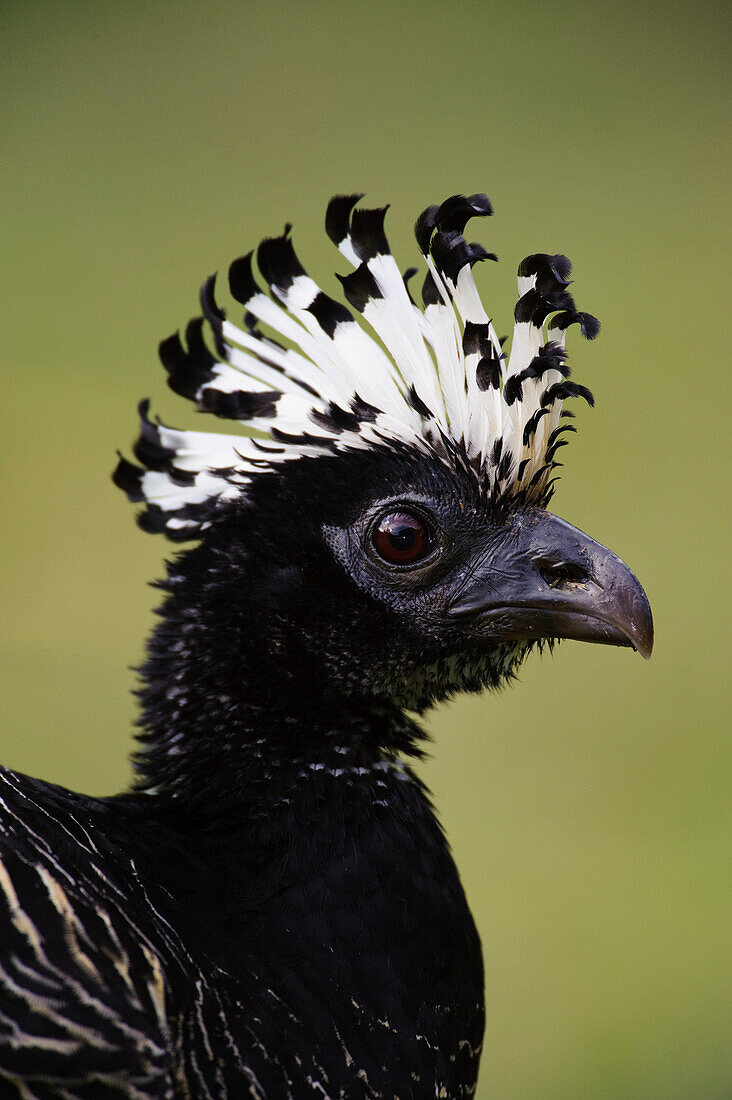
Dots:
(315, 375)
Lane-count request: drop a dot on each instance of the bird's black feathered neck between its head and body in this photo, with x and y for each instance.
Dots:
(237, 710)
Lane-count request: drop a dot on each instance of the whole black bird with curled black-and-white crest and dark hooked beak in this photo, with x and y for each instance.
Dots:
(272, 910)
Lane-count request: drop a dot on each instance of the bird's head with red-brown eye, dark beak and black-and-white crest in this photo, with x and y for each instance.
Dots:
(380, 526)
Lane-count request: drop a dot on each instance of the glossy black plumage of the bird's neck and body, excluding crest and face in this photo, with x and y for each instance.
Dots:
(276, 908)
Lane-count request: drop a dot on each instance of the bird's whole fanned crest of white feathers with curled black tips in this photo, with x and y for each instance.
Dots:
(314, 380)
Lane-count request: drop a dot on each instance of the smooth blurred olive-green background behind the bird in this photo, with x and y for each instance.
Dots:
(146, 146)
